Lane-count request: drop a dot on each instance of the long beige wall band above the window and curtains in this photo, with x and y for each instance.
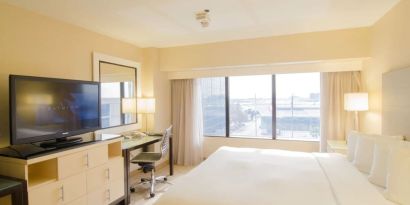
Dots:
(328, 45)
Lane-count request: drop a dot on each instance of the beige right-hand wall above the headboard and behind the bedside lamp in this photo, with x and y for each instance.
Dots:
(390, 50)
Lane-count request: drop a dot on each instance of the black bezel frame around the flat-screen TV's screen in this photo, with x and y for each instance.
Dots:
(57, 136)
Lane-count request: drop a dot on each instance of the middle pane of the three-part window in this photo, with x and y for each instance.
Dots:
(250, 106)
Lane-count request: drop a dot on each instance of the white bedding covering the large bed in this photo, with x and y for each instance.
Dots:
(236, 176)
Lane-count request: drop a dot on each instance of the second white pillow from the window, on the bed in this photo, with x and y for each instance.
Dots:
(364, 153)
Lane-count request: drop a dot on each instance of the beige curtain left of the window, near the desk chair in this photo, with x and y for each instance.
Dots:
(187, 121)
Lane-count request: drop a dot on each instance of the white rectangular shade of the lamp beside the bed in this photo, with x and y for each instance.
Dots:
(356, 101)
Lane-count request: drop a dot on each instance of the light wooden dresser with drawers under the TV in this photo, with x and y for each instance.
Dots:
(90, 174)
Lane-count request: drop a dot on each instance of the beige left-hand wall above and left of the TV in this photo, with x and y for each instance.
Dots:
(32, 44)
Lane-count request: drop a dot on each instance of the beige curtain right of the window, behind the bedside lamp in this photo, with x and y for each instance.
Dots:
(335, 121)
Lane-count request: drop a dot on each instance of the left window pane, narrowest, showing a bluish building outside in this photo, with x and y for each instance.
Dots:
(213, 106)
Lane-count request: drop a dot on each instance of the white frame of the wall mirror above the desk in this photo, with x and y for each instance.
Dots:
(99, 58)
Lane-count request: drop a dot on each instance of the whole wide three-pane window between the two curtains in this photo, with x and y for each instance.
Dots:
(283, 106)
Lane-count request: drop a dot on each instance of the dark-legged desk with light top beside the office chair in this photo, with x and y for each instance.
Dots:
(129, 145)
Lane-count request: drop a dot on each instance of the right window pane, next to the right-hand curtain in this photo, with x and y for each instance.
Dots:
(298, 106)
